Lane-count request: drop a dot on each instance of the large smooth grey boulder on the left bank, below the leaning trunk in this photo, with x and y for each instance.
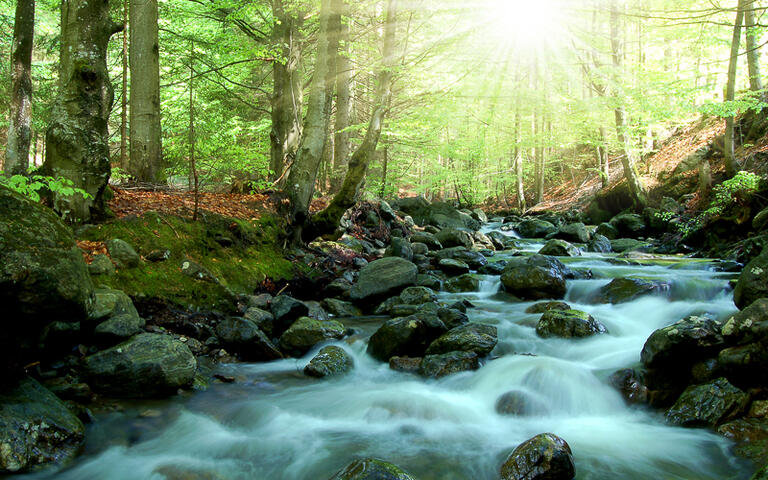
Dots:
(383, 278)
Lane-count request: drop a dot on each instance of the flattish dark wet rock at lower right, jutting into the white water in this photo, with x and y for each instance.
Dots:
(707, 405)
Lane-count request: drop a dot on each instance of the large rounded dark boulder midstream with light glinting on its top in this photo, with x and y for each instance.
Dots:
(534, 278)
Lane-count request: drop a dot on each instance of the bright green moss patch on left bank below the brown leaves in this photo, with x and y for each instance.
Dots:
(240, 253)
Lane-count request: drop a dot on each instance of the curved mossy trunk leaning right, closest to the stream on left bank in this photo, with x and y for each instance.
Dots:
(327, 221)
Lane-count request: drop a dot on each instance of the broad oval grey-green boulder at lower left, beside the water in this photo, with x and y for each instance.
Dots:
(147, 365)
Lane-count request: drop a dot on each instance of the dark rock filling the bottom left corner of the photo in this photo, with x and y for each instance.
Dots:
(36, 428)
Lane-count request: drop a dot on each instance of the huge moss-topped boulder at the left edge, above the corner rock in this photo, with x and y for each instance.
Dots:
(42, 275)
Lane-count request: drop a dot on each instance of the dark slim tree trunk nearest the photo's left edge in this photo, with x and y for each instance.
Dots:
(17, 154)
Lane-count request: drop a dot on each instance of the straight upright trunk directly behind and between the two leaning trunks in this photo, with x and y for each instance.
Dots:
(343, 104)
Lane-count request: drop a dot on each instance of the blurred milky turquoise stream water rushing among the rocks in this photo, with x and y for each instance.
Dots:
(274, 423)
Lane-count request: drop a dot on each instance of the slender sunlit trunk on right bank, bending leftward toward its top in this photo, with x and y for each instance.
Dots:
(628, 160)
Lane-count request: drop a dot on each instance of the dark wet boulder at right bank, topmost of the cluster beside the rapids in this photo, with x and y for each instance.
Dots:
(683, 343)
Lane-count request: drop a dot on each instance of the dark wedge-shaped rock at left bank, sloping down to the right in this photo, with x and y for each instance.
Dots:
(242, 336)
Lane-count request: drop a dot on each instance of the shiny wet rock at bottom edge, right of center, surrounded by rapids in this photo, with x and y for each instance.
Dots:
(544, 457)
